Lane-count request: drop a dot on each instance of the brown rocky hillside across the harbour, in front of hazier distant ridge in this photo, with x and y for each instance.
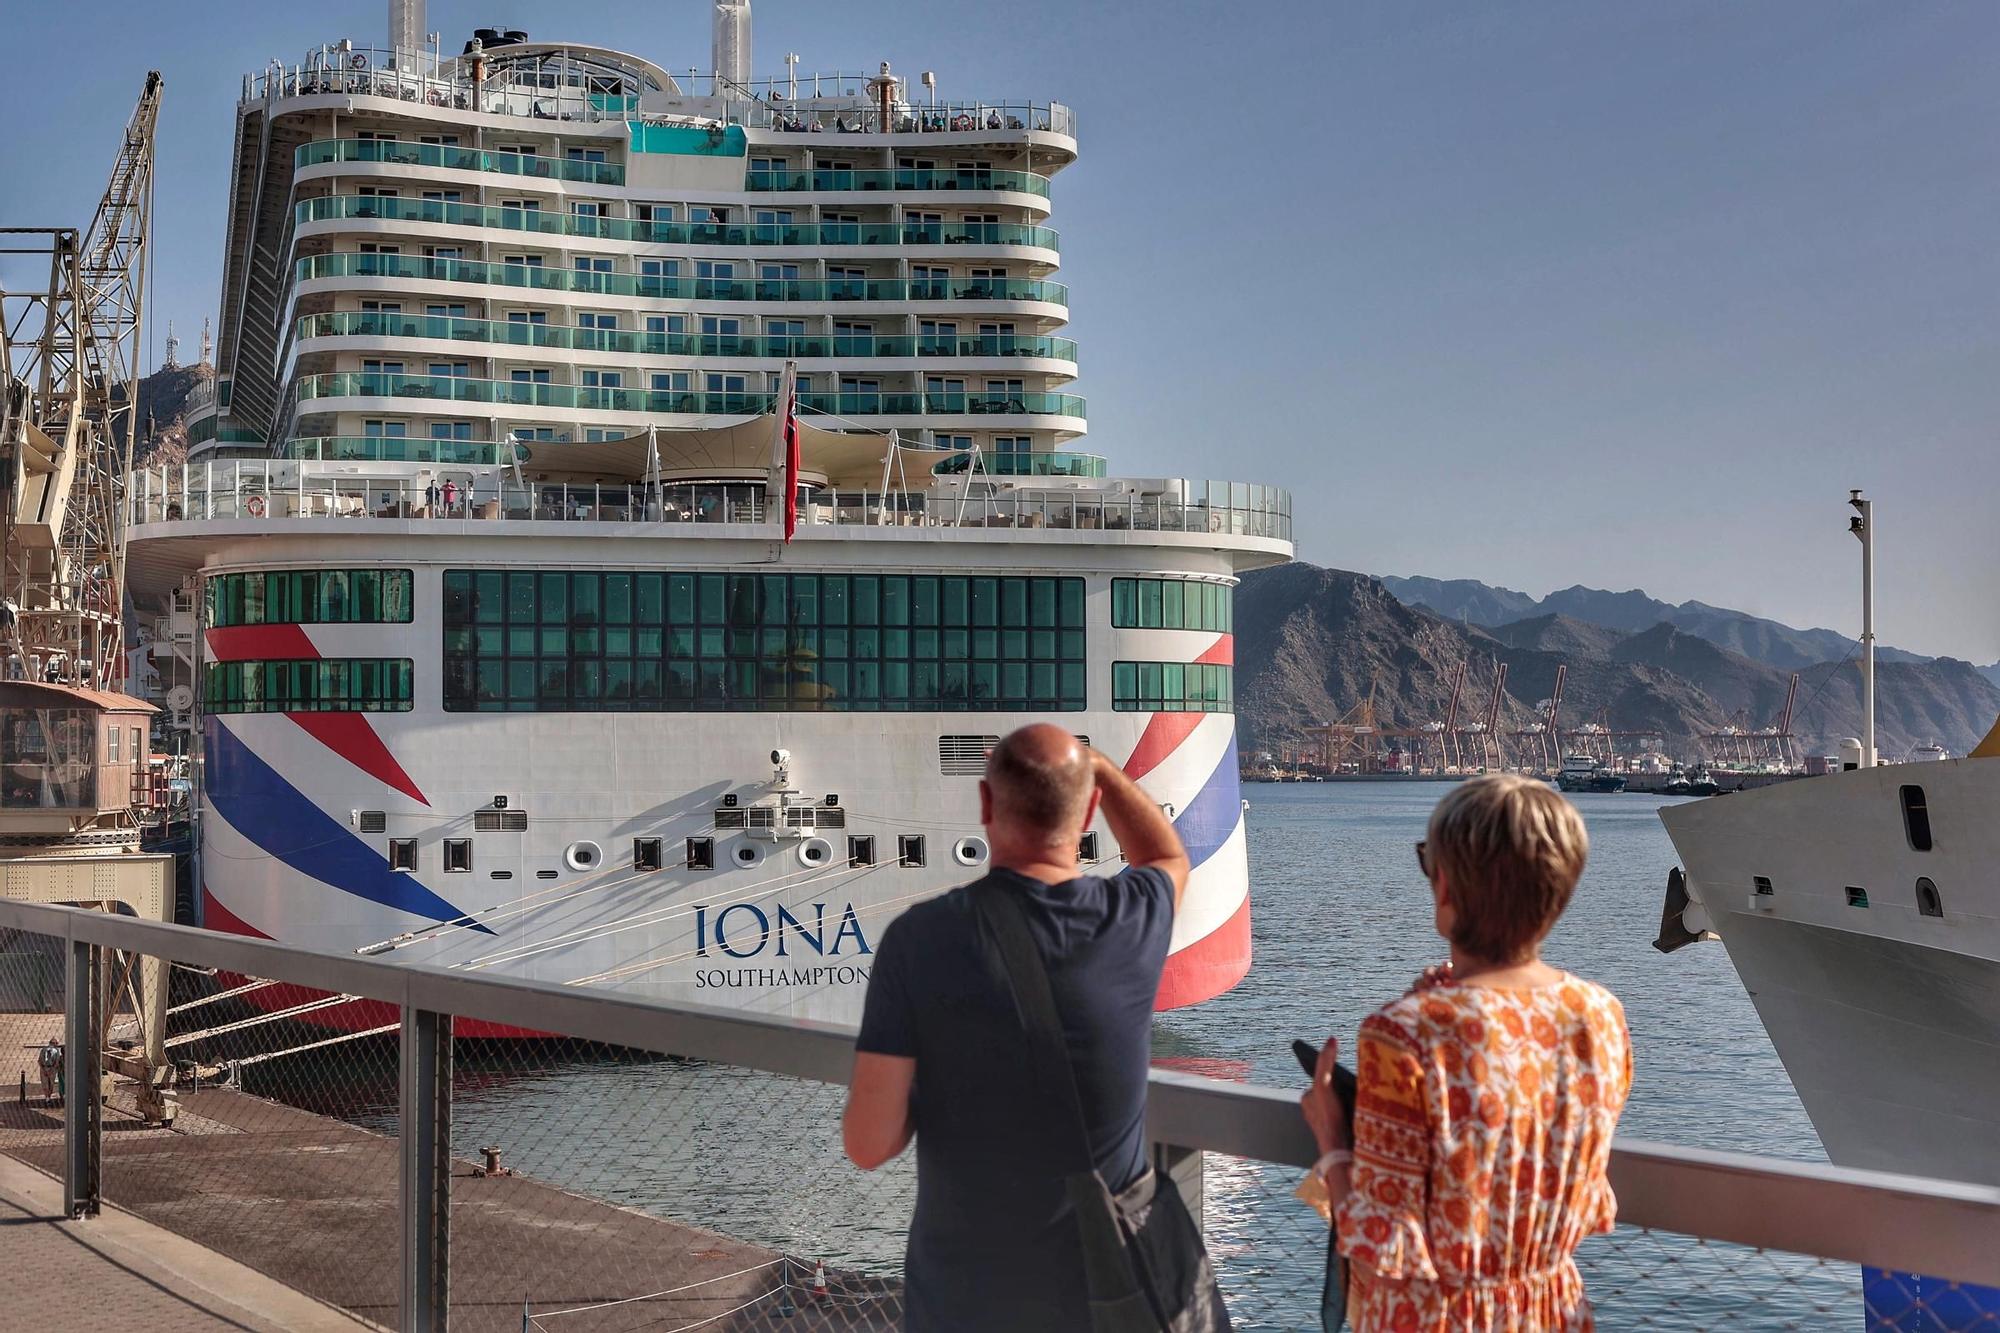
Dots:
(1311, 641)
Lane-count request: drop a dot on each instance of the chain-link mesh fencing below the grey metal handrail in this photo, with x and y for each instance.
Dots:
(645, 1176)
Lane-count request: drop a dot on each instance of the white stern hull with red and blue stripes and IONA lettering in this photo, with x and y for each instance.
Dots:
(283, 856)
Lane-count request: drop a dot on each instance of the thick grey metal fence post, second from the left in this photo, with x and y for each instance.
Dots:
(427, 1170)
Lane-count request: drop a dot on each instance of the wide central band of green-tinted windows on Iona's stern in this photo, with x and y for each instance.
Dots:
(619, 641)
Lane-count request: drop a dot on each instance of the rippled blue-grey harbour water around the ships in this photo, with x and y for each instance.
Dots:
(1343, 924)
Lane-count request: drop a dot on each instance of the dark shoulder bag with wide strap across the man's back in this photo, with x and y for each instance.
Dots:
(1145, 1264)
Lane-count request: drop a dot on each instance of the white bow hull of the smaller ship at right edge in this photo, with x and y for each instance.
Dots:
(1887, 1016)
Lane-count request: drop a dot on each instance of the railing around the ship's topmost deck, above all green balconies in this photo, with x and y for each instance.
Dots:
(805, 105)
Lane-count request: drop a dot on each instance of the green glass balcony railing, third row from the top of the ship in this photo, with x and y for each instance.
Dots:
(695, 289)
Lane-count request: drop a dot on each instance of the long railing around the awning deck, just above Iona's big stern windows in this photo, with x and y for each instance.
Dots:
(283, 491)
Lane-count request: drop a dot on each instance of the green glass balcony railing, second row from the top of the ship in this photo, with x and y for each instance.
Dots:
(555, 223)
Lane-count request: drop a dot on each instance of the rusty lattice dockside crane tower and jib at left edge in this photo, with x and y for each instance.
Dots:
(69, 417)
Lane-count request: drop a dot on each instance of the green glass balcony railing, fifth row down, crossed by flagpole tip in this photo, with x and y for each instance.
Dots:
(657, 401)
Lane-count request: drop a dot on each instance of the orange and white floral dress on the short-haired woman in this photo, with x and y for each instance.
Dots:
(1483, 1126)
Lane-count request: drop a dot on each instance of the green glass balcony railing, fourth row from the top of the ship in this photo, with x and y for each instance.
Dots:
(519, 333)
